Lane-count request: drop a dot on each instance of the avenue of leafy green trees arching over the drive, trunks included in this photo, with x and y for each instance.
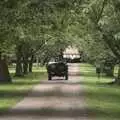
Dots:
(42, 29)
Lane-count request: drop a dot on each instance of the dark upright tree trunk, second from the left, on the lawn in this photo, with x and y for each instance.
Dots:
(19, 70)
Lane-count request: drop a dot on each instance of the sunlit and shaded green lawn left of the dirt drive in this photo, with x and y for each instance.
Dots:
(12, 93)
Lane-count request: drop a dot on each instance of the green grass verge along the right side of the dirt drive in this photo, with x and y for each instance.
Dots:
(103, 99)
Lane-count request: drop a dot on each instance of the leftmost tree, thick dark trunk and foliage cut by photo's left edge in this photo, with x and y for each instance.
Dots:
(5, 40)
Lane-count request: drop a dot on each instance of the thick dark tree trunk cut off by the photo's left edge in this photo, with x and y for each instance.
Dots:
(4, 72)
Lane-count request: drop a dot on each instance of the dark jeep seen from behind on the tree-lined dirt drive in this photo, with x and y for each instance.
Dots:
(57, 69)
